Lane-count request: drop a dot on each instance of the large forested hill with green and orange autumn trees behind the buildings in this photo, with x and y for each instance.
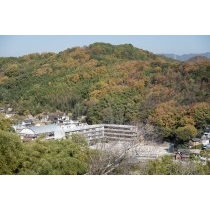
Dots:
(111, 84)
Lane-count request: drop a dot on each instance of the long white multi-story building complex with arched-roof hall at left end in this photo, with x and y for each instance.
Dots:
(90, 132)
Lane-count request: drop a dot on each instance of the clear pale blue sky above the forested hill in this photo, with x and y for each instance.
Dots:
(178, 44)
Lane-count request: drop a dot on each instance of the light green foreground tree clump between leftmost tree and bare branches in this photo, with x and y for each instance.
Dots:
(64, 157)
